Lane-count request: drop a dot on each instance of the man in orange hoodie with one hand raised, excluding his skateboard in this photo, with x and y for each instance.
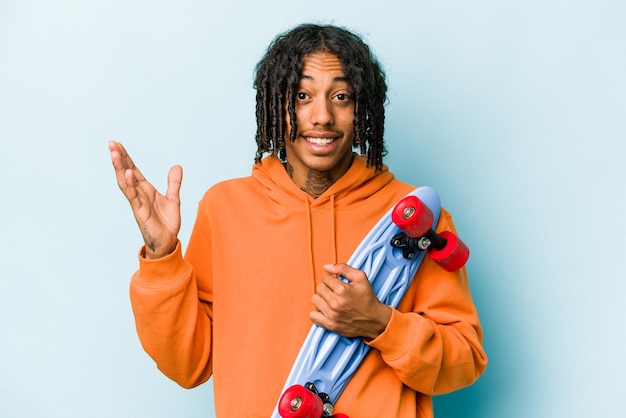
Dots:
(265, 252)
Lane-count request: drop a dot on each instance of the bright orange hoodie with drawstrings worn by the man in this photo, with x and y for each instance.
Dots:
(237, 306)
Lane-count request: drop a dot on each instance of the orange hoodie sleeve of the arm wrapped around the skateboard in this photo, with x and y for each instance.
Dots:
(434, 339)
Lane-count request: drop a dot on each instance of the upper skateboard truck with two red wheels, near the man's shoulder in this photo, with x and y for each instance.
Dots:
(416, 220)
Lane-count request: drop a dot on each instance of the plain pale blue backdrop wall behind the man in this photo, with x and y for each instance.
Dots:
(513, 111)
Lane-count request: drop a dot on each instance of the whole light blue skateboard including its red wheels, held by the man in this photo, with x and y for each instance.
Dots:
(389, 255)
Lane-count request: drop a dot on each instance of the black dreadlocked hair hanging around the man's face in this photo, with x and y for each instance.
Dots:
(278, 76)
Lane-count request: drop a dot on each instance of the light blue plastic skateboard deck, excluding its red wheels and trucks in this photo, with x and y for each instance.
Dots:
(329, 360)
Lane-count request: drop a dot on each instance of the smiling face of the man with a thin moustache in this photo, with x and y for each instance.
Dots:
(325, 119)
